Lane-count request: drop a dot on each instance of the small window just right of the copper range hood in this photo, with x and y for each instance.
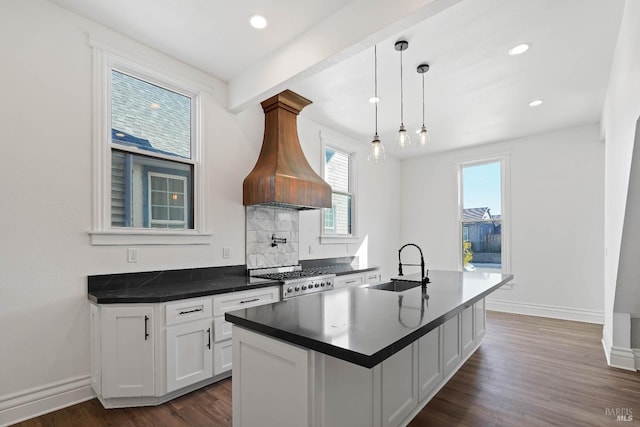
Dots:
(338, 172)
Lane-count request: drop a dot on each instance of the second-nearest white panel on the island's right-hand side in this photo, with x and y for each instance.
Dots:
(430, 364)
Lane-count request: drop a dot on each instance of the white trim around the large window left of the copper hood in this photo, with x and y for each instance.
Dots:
(106, 58)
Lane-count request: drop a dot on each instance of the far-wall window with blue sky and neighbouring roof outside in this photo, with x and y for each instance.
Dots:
(482, 215)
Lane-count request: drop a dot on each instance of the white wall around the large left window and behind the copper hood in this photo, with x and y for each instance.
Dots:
(45, 170)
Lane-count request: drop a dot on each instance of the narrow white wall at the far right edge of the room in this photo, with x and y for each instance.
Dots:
(621, 113)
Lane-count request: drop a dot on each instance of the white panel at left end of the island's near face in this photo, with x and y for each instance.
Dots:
(261, 366)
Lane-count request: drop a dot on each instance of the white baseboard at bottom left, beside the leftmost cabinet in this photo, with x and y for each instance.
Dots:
(44, 399)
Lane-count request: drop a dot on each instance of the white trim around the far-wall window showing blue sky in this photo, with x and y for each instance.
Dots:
(505, 220)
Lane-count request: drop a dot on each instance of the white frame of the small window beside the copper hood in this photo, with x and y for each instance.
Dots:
(353, 192)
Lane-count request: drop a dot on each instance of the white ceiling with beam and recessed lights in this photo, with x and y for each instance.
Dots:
(475, 92)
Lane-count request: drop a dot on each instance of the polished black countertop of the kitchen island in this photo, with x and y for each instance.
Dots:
(366, 326)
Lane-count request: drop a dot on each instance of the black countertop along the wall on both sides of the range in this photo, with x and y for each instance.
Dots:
(171, 285)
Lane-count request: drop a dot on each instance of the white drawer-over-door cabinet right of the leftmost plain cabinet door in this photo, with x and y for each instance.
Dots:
(189, 342)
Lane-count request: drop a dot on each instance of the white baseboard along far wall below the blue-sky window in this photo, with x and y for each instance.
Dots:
(540, 310)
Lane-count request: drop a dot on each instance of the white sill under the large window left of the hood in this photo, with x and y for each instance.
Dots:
(148, 237)
